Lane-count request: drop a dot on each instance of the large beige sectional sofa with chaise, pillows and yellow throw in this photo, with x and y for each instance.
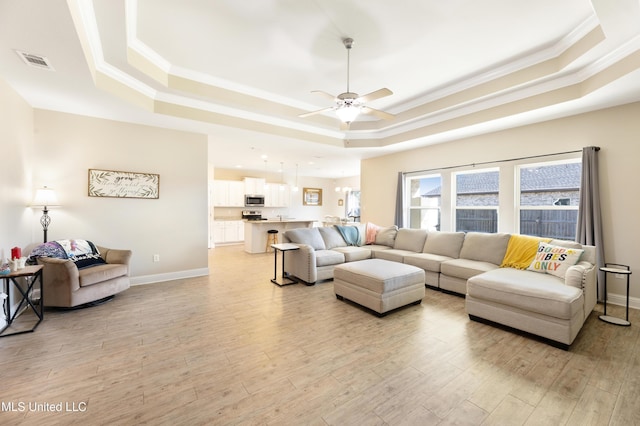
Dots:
(549, 291)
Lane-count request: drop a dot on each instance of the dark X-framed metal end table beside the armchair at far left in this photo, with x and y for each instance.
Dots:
(32, 275)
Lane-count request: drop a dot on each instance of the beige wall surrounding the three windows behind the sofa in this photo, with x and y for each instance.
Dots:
(615, 130)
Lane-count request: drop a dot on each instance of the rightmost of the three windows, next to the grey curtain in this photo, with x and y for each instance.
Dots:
(548, 199)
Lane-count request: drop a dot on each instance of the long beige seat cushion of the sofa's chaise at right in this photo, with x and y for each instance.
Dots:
(527, 290)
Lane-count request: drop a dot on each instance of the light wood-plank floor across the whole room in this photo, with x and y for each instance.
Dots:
(232, 348)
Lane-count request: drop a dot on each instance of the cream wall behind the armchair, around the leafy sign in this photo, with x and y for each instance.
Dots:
(173, 226)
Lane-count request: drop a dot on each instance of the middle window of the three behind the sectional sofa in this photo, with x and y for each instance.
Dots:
(476, 200)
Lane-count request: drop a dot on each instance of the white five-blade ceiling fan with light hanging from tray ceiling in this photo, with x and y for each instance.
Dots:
(348, 104)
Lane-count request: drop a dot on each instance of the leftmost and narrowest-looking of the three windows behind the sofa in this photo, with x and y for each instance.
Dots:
(424, 195)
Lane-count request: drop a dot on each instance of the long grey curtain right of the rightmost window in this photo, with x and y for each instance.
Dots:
(589, 228)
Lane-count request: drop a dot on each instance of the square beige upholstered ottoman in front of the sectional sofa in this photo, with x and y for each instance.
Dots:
(378, 284)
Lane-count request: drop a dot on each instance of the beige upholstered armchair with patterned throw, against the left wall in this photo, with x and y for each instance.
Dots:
(67, 286)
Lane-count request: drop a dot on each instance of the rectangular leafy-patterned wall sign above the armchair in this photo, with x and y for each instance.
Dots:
(112, 183)
